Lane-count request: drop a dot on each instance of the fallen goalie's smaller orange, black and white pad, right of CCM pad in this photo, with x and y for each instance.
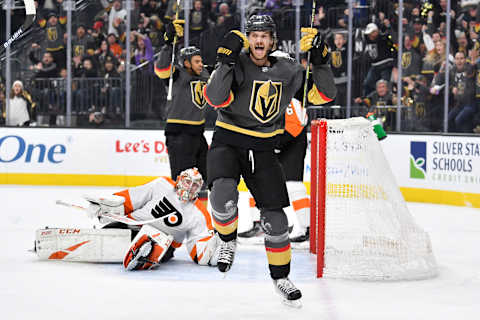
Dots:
(147, 249)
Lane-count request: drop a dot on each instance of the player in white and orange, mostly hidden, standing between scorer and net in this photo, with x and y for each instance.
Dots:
(291, 152)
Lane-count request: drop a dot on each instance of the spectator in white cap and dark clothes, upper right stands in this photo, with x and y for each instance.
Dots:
(381, 52)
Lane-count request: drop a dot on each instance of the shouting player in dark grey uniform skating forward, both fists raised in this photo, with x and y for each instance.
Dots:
(251, 91)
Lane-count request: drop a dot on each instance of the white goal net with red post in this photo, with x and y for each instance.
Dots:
(360, 225)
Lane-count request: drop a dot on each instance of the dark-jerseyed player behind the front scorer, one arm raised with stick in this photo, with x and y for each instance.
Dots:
(186, 144)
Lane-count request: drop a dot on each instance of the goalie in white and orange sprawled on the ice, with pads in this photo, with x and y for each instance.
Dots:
(173, 213)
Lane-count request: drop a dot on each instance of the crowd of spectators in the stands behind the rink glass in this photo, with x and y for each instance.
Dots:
(99, 54)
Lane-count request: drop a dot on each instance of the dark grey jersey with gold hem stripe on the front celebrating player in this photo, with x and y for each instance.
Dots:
(251, 100)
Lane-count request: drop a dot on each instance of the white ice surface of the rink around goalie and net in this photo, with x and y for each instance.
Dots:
(33, 289)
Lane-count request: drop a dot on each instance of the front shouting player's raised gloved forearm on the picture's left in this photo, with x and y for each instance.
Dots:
(218, 91)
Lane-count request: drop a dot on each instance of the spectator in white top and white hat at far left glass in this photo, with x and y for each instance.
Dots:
(20, 109)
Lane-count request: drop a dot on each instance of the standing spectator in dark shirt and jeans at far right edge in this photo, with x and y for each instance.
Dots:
(463, 92)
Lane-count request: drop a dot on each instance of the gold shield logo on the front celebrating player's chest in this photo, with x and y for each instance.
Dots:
(265, 100)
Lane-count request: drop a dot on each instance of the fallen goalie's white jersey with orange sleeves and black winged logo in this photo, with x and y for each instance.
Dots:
(188, 222)
